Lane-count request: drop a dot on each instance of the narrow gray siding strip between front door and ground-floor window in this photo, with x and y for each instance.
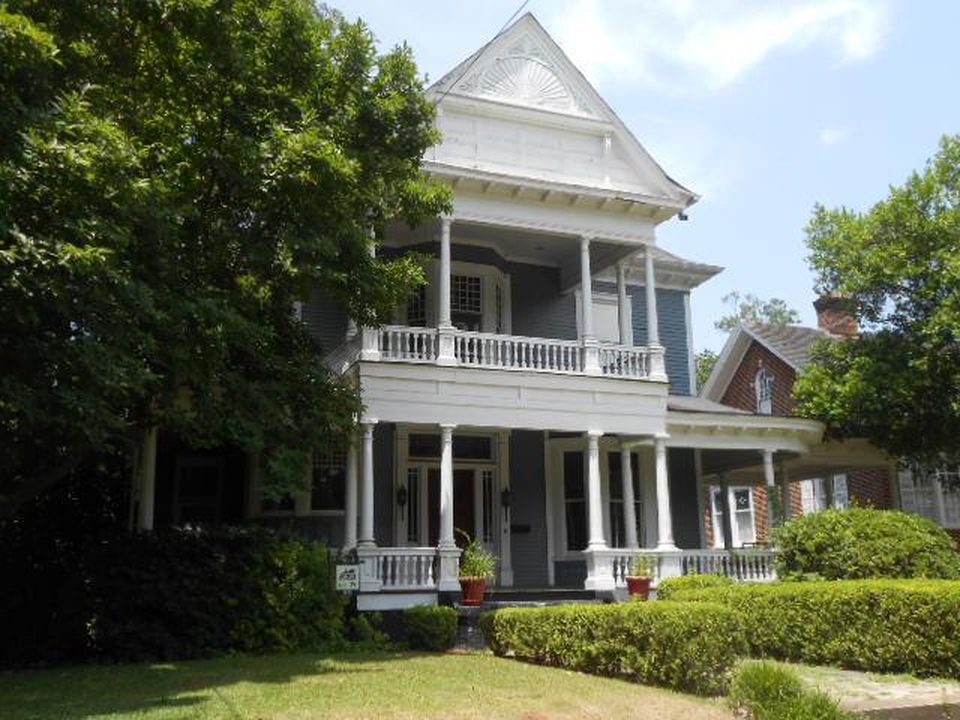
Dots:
(528, 509)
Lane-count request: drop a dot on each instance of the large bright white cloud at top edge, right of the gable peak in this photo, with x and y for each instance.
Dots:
(691, 45)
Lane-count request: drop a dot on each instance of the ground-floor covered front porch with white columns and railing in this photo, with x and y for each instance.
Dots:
(560, 509)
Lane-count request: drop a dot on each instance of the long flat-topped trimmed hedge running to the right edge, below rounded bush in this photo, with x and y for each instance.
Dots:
(910, 626)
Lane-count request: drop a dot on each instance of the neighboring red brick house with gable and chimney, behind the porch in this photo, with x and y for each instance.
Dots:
(755, 372)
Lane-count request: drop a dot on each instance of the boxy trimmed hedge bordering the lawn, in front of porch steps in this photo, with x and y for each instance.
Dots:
(684, 646)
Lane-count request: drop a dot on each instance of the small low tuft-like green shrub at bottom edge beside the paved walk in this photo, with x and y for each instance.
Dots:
(772, 692)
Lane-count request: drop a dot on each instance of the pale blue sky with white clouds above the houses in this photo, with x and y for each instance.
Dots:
(761, 108)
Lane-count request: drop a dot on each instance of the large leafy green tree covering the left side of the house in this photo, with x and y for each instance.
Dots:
(174, 176)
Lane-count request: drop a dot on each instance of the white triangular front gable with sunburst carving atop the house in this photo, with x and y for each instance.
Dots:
(519, 109)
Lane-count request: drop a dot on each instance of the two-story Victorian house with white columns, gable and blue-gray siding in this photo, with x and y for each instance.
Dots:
(539, 393)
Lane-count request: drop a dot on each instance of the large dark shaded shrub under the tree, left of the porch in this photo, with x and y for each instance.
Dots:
(191, 593)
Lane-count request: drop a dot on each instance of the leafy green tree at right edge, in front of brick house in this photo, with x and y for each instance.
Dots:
(898, 267)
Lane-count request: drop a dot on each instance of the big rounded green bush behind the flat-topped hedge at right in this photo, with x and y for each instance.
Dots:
(863, 543)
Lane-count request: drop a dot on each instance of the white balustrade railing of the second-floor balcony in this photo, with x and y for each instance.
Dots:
(400, 343)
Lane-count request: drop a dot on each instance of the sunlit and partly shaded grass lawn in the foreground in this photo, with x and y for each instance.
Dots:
(304, 687)
